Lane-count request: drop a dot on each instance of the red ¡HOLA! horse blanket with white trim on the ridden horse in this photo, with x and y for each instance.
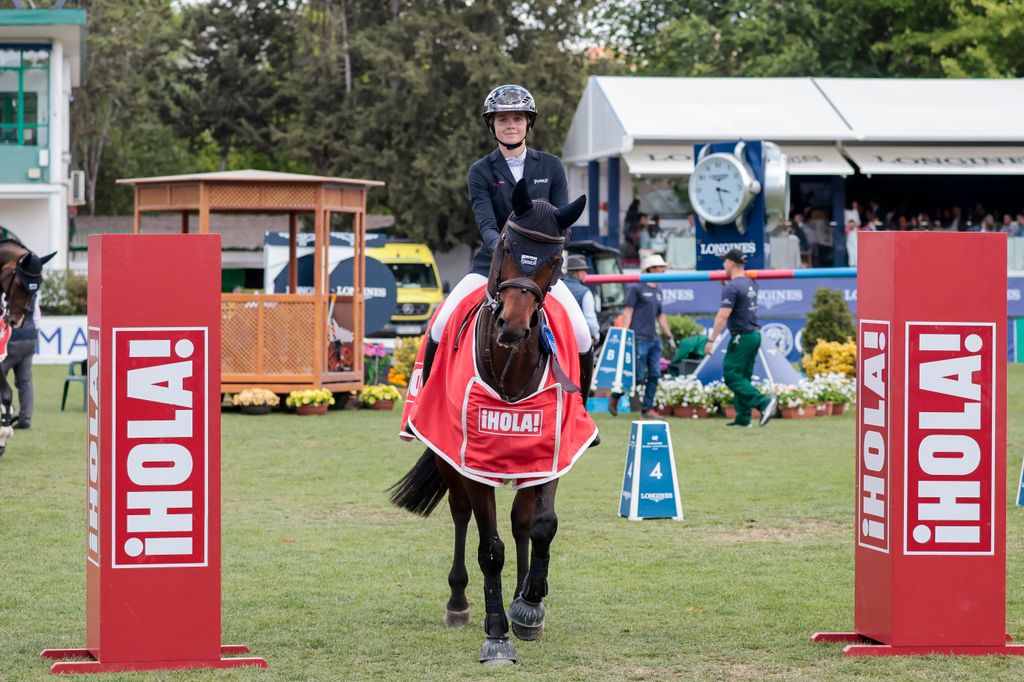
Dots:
(530, 442)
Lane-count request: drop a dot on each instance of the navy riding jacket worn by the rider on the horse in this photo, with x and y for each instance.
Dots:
(491, 186)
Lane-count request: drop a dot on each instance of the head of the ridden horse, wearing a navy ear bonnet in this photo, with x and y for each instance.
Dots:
(528, 262)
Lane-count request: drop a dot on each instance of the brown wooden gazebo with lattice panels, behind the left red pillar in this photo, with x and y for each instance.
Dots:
(279, 342)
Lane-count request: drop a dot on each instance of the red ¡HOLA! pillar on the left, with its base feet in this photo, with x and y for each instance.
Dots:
(153, 475)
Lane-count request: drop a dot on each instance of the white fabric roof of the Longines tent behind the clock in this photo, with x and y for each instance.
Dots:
(647, 119)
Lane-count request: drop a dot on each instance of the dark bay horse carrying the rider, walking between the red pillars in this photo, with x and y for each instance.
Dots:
(511, 360)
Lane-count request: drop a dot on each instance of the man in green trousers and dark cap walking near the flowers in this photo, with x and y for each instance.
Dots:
(740, 310)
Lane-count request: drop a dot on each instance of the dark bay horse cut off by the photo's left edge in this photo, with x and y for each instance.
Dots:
(21, 277)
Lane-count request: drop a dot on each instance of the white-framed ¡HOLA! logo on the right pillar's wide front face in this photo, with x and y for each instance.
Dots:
(950, 450)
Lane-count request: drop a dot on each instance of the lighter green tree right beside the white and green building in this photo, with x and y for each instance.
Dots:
(129, 48)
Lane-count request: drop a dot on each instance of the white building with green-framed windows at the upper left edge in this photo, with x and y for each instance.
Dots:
(40, 64)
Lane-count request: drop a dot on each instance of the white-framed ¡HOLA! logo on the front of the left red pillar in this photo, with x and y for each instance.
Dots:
(160, 492)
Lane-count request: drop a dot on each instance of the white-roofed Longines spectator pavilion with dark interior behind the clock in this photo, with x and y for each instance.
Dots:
(929, 144)
